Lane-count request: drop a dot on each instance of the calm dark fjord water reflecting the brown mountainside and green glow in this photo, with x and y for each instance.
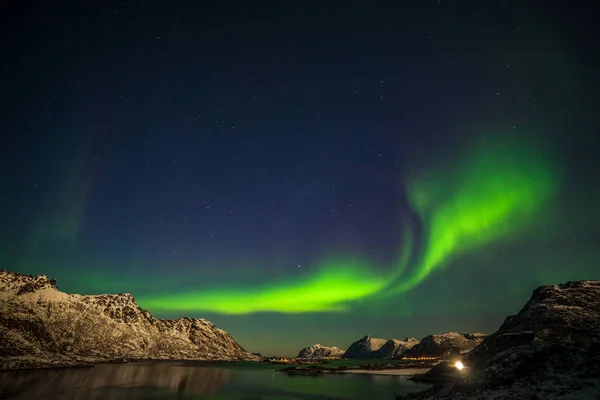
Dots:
(189, 380)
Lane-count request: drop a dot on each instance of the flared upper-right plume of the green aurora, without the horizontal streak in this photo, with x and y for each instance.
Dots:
(494, 192)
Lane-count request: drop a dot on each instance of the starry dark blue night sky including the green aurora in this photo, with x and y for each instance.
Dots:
(303, 172)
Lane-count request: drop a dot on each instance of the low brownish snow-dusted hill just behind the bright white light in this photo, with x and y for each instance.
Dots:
(445, 345)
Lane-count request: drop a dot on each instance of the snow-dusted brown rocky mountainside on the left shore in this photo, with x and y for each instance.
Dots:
(42, 326)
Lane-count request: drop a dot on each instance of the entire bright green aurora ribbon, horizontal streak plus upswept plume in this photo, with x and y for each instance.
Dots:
(495, 191)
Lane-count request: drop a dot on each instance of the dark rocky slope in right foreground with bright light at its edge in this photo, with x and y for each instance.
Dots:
(549, 350)
